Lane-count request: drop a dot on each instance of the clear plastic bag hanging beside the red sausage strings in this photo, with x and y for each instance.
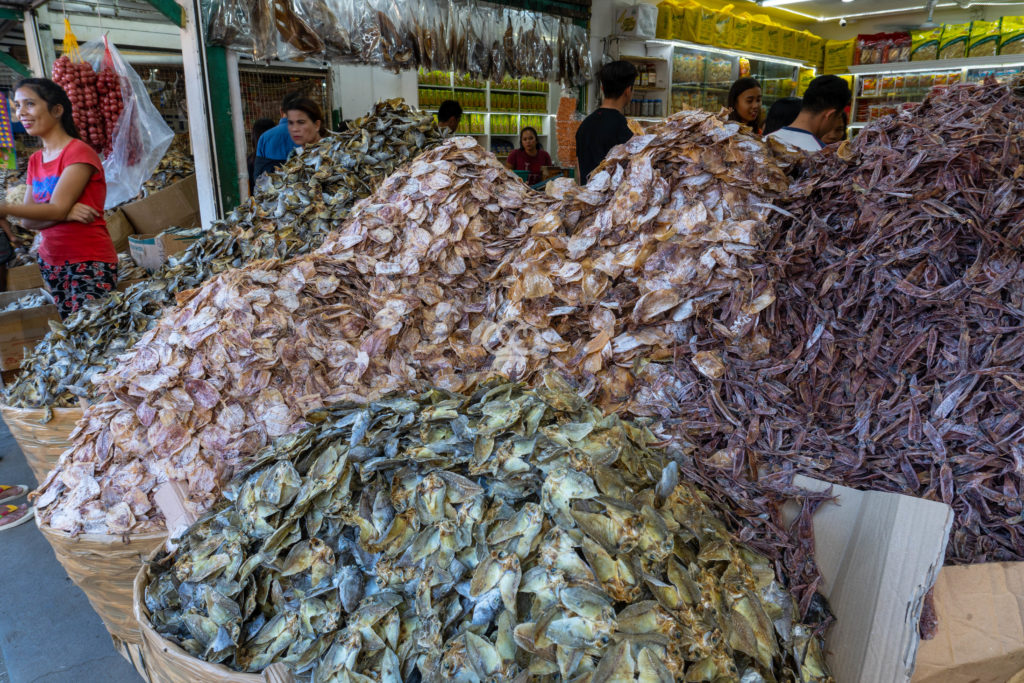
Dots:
(141, 138)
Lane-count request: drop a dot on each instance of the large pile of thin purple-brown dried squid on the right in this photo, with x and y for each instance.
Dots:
(897, 359)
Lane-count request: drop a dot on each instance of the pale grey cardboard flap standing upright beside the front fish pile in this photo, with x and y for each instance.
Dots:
(879, 554)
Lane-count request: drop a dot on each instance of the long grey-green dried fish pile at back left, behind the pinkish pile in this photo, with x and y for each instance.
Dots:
(289, 216)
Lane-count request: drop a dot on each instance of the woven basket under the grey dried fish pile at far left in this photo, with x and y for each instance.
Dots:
(41, 434)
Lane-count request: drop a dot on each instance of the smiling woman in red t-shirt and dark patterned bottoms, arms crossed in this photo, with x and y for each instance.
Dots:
(67, 192)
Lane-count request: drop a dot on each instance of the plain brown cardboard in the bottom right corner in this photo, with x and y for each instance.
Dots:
(980, 638)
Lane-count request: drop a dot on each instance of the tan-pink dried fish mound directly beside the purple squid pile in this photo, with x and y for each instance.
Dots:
(663, 237)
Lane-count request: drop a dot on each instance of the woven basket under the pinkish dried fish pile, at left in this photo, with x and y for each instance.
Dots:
(105, 568)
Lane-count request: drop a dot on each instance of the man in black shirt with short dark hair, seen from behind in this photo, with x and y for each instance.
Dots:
(607, 126)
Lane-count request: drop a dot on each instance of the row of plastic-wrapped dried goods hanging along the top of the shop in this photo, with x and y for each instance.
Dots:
(486, 42)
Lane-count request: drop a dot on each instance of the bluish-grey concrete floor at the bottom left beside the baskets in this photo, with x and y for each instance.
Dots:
(49, 632)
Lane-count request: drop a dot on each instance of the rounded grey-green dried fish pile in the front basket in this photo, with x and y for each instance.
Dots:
(452, 538)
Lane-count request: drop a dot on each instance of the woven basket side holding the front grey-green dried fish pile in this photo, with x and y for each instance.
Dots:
(166, 663)
